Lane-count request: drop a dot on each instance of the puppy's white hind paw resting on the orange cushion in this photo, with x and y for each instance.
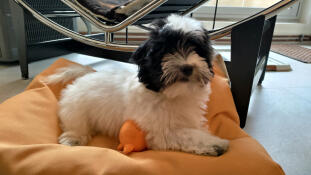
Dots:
(70, 138)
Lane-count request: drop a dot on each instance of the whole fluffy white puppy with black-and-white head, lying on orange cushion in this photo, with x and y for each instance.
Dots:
(167, 98)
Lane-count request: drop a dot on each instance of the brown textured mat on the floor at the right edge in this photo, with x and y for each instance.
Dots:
(293, 51)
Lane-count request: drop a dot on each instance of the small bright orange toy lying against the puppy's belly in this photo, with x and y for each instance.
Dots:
(131, 138)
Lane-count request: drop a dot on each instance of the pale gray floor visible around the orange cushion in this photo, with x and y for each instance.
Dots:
(279, 115)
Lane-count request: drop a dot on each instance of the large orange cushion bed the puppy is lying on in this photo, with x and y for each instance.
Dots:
(29, 130)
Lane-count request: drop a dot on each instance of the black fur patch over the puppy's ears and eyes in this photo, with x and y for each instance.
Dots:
(164, 40)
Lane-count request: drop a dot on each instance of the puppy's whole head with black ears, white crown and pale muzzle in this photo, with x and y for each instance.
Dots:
(177, 54)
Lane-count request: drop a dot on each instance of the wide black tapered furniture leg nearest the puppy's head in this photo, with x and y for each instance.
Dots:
(245, 45)
